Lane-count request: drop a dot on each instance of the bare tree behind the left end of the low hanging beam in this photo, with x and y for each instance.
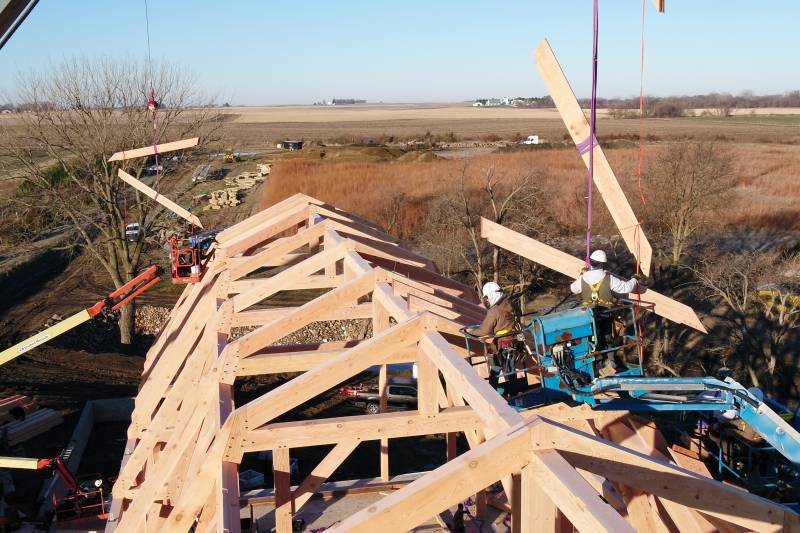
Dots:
(453, 224)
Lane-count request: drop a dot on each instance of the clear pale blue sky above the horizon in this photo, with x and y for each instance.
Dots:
(269, 52)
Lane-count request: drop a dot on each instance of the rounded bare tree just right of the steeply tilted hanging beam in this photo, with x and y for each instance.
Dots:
(687, 184)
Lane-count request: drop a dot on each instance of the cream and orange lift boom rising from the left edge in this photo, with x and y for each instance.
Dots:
(115, 300)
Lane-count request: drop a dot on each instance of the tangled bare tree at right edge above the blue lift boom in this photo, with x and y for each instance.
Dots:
(759, 297)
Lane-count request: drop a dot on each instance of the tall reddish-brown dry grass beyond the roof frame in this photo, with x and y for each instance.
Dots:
(766, 194)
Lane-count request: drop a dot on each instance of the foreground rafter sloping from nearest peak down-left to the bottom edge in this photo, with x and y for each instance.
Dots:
(446, 486)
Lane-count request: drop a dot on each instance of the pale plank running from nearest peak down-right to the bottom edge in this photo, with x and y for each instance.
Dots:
(574, 497)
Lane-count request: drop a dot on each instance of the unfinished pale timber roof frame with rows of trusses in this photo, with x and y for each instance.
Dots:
(561, 468)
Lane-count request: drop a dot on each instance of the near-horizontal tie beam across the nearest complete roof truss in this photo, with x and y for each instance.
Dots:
(362, 428)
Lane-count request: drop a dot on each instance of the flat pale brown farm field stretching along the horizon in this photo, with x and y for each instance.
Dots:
(259, 127)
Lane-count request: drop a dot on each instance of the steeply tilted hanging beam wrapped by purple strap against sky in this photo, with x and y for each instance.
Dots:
(604, 178)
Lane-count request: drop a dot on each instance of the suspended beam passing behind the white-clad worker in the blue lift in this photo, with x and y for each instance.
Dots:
(554, 259)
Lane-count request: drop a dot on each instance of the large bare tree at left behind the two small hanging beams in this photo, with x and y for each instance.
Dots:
(79, 114)
